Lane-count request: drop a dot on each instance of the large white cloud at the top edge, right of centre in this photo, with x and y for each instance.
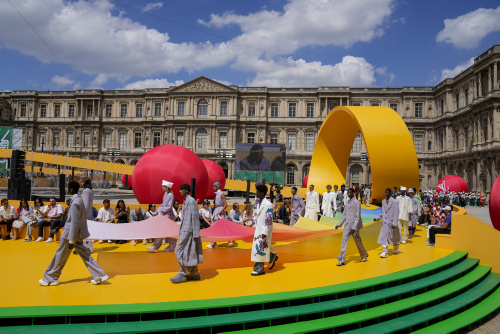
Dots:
(309, 22)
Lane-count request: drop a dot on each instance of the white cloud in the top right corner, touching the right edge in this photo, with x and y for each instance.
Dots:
(468, 30)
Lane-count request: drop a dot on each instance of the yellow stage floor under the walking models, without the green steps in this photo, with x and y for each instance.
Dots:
(137, 276)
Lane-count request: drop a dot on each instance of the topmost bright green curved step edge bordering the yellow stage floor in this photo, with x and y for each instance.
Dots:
(94, 310)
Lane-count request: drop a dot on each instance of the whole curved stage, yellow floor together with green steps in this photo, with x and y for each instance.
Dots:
(422, 289)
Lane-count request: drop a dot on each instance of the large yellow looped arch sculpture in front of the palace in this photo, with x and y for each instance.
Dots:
(390, 147)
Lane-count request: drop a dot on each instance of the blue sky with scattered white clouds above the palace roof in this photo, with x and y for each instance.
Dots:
(144, 44)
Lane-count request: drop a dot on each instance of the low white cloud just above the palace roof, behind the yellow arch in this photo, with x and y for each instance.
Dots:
(352, 71)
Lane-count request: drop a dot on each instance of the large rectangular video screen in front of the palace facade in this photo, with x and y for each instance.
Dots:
(260, 157)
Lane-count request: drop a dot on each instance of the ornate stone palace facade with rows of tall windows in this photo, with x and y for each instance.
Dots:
(455, 125)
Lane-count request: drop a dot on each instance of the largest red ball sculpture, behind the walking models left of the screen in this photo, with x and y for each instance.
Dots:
(171, 163)
